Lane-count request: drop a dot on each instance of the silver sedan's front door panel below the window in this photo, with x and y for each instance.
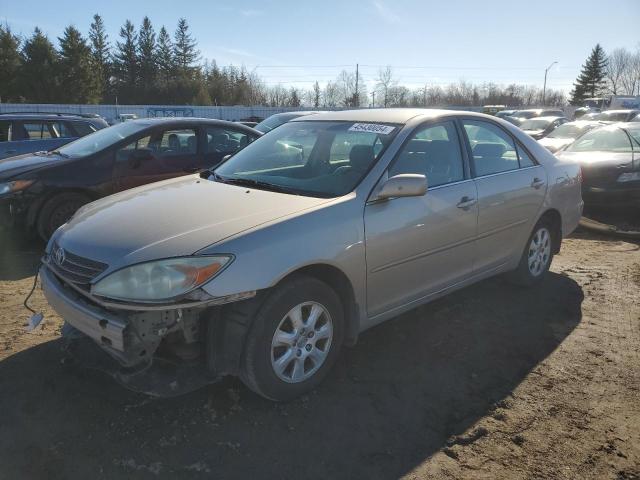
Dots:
(418, 245)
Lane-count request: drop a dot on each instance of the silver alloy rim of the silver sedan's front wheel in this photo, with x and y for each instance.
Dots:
(301, 342)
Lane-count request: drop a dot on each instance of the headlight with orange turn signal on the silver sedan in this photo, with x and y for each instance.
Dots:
(162, 279)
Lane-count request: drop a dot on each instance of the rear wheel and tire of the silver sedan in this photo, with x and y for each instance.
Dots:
(532, 270)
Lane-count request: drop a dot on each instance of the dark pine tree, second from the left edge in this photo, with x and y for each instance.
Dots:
(38, 75)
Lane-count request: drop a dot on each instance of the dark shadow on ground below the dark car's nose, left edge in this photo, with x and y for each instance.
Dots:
(20, 255)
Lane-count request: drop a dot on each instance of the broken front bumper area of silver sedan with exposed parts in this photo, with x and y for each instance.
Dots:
(157, 350)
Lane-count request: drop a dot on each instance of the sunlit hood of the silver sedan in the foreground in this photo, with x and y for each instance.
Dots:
(171, 218)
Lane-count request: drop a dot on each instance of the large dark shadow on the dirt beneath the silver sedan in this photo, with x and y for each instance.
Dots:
(391, 402)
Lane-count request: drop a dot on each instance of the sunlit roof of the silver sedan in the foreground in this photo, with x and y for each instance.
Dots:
(384, 115)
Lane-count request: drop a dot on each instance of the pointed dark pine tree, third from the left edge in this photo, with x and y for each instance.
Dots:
(78, 78)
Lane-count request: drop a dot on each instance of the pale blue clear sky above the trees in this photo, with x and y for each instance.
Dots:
(425, 42)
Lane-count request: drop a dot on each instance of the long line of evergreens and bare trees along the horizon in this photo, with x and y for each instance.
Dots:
(145, 66)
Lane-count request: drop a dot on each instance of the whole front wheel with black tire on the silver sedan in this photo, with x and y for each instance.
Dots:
(314, 351)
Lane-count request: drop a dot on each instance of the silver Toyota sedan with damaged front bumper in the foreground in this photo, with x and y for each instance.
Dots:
(323, 228)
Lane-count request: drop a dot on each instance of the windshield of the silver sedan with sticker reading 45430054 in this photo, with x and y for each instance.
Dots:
(318, 159)
